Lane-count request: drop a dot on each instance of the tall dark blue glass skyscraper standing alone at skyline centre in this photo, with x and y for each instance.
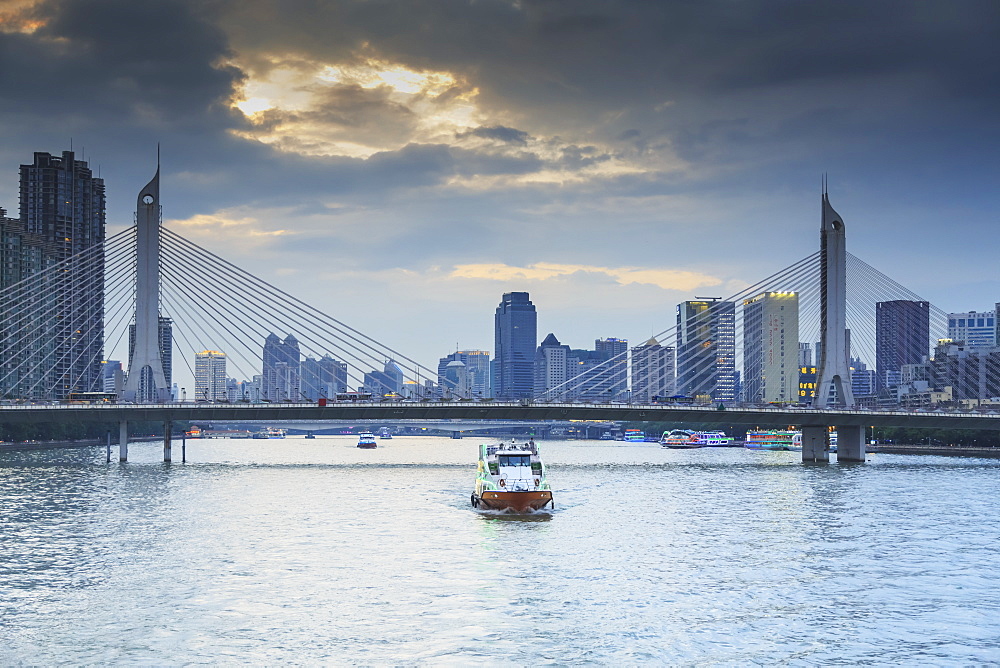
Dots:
(515, 326)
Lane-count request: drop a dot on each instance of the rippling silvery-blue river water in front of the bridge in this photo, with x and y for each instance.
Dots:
(313, 551)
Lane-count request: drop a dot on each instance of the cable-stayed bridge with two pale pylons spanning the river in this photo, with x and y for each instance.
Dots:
(152, 290)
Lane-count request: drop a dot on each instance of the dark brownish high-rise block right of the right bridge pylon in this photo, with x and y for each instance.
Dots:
(902, 336)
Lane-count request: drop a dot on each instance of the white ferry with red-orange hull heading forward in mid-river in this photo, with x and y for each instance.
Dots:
(511, 477)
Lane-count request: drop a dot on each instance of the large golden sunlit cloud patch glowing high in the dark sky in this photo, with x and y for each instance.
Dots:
(371, 106)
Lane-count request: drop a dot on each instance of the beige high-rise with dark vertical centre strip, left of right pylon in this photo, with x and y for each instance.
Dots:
(771, 348)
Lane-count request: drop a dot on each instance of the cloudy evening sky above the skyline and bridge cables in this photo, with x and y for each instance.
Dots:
(401, 164)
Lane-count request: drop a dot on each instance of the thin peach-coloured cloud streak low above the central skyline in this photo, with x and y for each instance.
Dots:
(667, 279)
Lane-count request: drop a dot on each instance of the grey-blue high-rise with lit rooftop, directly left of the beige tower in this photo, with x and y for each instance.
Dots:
(706, 349)
